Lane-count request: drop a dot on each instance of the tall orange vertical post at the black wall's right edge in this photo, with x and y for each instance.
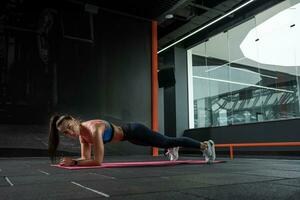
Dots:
(154, 84)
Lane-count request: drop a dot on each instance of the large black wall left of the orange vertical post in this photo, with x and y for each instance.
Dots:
(105, 74)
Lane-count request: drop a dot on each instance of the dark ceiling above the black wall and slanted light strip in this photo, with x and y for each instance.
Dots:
(188, 15)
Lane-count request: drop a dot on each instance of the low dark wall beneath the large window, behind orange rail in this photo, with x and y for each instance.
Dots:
(273, 131)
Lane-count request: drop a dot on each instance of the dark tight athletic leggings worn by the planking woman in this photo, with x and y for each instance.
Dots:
(141, 135)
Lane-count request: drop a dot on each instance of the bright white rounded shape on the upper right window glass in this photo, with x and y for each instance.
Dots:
(274, 38)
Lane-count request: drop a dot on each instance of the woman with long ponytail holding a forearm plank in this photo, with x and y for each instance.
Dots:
(98, 132)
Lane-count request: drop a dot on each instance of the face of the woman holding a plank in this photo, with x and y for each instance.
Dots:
(70, 128)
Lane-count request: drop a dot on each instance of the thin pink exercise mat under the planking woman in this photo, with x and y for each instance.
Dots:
(137, 164)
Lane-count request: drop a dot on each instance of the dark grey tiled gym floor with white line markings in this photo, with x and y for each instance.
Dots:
(241, 178)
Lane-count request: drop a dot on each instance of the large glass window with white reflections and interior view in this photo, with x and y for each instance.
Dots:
(249, 73)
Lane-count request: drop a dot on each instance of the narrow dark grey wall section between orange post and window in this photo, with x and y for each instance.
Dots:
(175, 96)
